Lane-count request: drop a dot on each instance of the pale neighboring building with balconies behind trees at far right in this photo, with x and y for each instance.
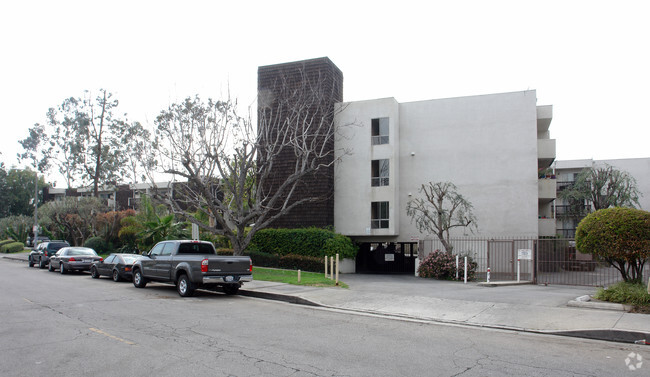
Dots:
(568, 215)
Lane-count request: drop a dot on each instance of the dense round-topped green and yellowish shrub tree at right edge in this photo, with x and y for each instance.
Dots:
(621, 236)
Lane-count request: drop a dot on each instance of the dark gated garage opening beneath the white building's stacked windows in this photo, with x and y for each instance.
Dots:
(386, 258)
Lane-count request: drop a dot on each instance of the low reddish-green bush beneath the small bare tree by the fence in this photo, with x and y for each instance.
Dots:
(440, 265)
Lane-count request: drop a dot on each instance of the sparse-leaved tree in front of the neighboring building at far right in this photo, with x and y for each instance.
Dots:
(603, 187)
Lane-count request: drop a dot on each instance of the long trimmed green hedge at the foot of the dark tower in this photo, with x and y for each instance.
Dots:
(311, 242)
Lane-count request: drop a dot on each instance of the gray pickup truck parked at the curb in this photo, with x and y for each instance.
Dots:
(191, 265)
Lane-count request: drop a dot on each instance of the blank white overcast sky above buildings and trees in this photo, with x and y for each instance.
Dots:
(589, 59)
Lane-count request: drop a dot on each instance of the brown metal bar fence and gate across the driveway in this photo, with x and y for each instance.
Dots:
(554, 261)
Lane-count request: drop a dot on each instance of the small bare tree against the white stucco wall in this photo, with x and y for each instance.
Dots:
(442, 209)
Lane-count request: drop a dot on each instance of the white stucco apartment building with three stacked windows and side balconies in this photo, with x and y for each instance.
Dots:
(490, 146)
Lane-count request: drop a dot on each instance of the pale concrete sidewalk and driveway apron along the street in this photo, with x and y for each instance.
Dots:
(531, 308)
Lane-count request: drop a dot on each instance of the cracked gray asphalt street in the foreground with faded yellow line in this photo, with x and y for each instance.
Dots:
(72, 325)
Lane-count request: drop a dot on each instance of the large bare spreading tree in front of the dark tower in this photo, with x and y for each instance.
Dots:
(228, 163)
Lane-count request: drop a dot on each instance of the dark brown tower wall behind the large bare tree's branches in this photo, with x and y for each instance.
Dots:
(281, 81)
